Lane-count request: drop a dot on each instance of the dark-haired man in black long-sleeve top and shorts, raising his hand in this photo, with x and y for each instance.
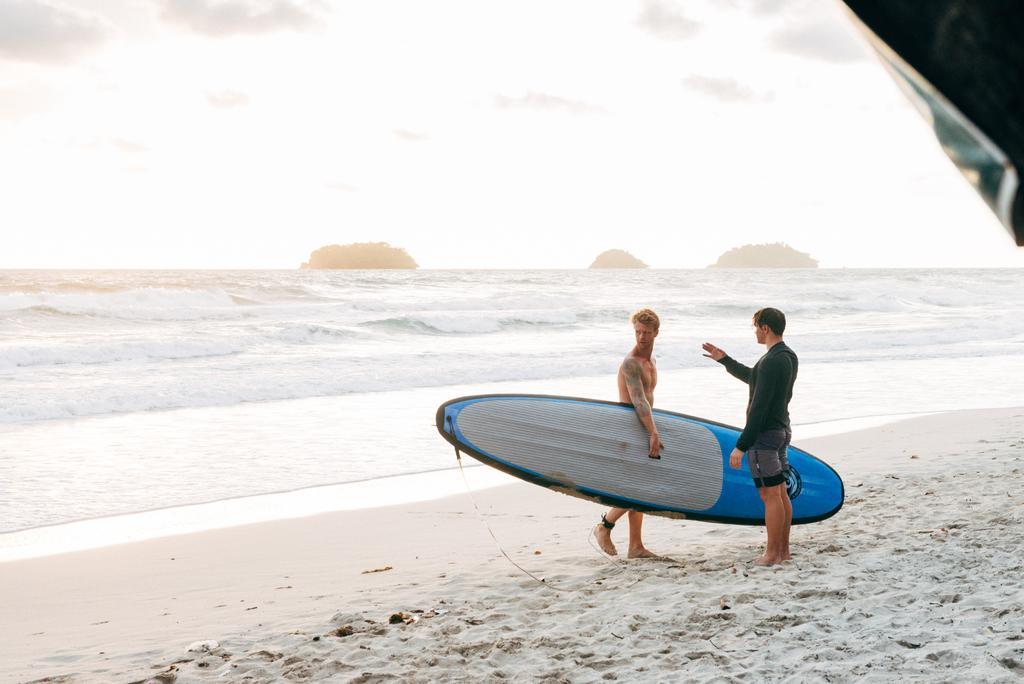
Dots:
(766, 437)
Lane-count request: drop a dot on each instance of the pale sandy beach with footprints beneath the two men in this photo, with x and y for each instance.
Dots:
(918, 578)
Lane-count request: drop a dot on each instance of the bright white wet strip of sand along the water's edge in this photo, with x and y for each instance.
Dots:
(365, 494)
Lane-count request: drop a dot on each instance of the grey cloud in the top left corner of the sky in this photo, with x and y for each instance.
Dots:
(45, 32)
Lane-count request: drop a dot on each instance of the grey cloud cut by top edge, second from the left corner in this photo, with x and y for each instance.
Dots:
(228, 18)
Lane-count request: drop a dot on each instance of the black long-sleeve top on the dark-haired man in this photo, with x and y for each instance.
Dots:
(771, 383)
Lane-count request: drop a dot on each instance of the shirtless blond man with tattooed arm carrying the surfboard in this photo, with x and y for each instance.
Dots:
(637, 378)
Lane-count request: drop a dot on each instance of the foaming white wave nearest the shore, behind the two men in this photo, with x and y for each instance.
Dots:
(234, 382)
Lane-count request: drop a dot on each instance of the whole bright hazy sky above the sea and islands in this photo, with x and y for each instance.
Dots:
(246, 134)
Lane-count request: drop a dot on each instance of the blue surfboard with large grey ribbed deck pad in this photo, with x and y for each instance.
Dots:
(599, 450)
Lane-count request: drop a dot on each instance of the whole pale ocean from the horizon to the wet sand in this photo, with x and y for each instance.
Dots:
(133, 391)
